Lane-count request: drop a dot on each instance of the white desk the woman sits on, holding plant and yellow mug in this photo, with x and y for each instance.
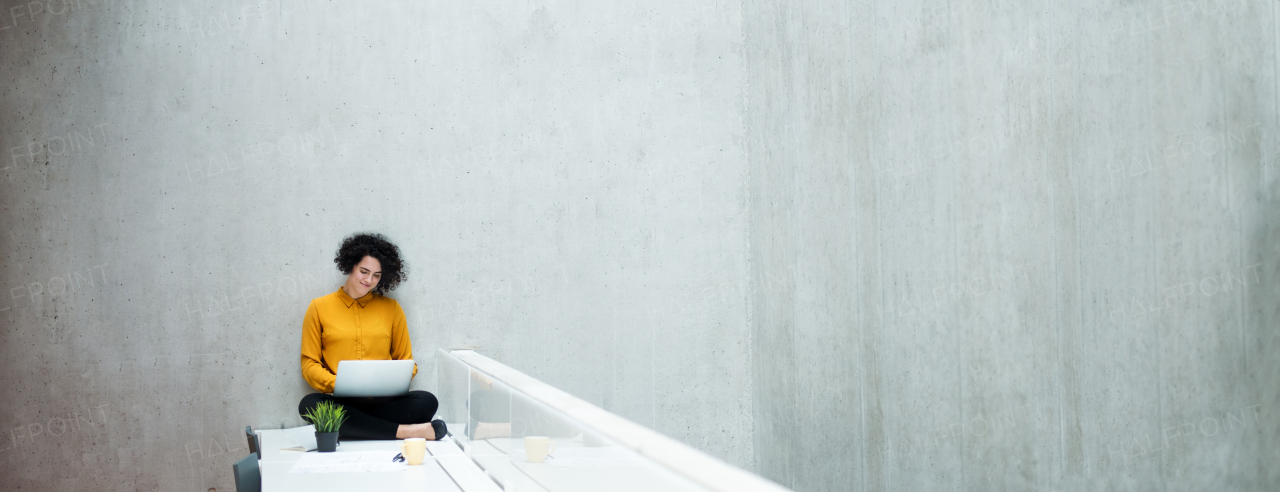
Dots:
(458, 475)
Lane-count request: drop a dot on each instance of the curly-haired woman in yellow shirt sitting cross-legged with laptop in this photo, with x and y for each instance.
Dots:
(359, 322)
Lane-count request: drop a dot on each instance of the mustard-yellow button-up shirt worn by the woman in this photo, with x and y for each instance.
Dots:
(342, 329)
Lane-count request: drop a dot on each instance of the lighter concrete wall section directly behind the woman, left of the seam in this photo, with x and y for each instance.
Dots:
(566, 181)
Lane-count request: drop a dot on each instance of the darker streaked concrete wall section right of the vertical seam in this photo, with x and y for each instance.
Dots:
(1014, 247)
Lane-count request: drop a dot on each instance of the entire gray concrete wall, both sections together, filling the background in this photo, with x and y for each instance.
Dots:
(909, 245)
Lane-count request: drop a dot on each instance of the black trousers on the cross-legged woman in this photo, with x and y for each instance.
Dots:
(378, 418)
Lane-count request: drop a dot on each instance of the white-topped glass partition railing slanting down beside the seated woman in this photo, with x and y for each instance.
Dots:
(491, 408)
